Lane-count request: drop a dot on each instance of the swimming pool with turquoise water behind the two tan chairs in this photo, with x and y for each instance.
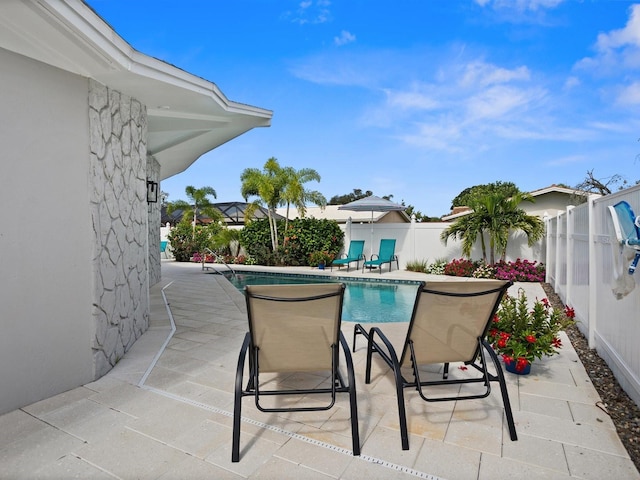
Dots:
(364, 301)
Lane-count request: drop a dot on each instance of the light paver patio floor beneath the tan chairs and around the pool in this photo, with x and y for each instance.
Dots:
(165, 410)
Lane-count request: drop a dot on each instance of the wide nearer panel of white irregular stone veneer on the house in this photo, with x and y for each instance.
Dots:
(118, 196)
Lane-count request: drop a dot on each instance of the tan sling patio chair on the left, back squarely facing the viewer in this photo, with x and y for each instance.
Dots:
(294, 328)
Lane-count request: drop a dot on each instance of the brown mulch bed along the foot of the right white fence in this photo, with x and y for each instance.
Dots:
(622, 410)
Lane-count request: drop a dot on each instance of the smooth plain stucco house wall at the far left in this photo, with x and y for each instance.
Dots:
(45, 232)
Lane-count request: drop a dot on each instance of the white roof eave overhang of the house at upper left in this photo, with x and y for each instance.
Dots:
(187, 115)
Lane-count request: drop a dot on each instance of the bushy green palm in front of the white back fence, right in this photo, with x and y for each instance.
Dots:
(497, 216)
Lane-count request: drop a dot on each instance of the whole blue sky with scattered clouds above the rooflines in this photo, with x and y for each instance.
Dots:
(418, 99)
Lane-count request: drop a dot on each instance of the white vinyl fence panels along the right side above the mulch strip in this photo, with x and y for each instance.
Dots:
(588, 269)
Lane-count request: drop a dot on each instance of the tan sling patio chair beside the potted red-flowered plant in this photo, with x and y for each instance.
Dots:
(449, 323)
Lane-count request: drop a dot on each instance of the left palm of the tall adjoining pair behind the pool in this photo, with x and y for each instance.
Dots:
(268, 185)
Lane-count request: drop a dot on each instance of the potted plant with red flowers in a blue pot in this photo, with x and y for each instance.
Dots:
(521, 333)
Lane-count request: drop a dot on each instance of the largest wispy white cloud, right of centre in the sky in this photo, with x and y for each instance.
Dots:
(446, 103)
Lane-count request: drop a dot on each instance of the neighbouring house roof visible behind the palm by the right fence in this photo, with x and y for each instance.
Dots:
(548, 202)
